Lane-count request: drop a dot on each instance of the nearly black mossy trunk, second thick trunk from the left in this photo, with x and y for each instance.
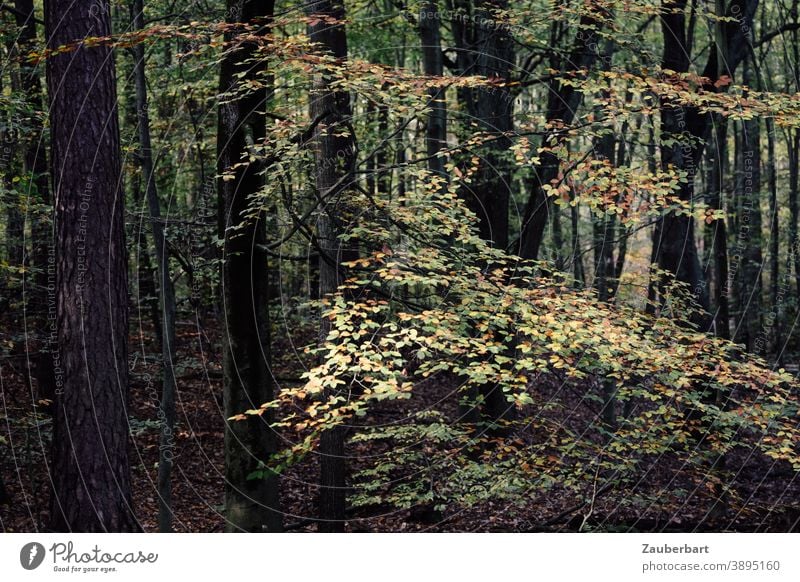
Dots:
(250, 504)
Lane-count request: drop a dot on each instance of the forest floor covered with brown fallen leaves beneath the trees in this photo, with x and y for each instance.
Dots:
(768, 493)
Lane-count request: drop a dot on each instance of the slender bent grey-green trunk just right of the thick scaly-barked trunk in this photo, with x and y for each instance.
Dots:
(165, 287)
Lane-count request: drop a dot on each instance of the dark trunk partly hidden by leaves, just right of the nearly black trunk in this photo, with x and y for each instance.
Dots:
(334, 150)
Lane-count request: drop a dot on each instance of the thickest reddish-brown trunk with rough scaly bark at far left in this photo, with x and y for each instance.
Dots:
(90, 471)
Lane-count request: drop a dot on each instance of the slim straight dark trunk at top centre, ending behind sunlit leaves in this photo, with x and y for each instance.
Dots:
(433, 65)
